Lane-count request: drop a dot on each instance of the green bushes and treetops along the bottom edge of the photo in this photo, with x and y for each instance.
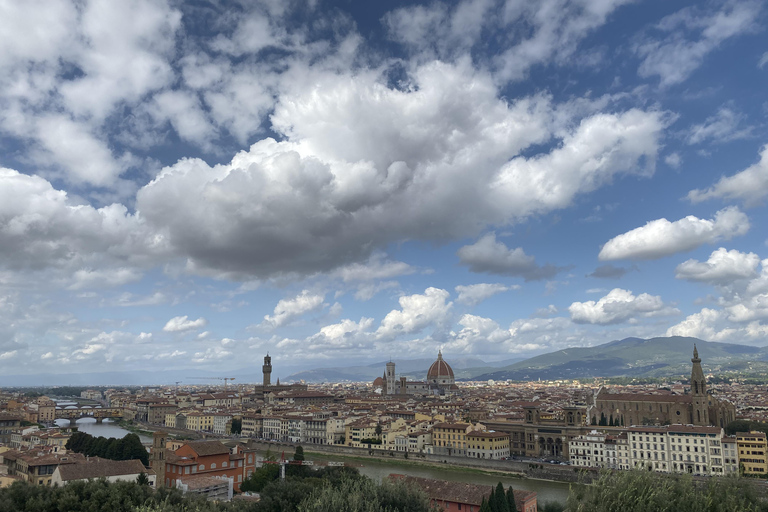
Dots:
(340, 489)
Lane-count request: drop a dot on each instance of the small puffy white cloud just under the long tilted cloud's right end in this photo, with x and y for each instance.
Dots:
(722, 267)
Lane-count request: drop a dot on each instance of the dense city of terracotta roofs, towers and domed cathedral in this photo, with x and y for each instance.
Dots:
(208, 440)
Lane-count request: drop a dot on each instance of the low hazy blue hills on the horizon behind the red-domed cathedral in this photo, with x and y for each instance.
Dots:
(413, 369)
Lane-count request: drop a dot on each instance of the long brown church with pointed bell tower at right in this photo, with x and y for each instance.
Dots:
(698, 407)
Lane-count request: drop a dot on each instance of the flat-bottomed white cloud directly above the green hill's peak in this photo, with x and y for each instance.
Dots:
(619, 306)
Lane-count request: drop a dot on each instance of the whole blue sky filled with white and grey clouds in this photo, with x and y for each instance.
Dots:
(197, 184)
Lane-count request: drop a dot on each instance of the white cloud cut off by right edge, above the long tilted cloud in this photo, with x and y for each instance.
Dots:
(749, 185)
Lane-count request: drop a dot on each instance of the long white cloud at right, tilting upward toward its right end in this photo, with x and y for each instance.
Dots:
(659, 238)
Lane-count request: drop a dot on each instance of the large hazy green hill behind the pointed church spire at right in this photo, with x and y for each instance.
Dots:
(630, 357)
